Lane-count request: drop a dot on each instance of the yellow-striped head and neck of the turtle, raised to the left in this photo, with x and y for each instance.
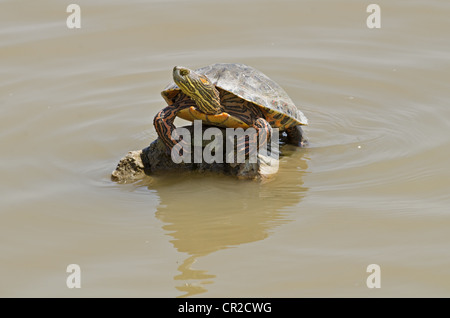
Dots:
(199, 88)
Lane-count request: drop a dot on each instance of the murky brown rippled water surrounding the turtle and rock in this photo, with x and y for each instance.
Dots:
(373, 188)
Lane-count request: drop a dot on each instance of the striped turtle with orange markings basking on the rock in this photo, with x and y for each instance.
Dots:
(229, 95)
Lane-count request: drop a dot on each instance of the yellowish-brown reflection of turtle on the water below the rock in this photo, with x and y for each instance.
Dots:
(204, 214)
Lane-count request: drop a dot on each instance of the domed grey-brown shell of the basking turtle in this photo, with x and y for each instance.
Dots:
(249, 84)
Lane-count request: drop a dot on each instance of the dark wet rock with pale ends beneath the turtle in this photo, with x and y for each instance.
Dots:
(156, 160)
